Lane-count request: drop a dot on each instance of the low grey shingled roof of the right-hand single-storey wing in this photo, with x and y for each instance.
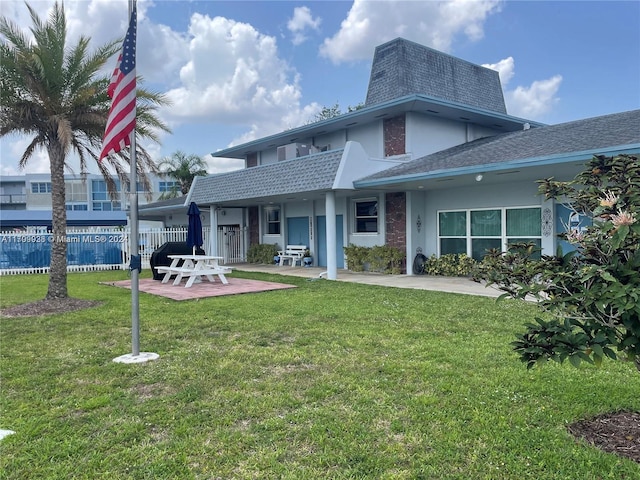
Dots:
(588, 136)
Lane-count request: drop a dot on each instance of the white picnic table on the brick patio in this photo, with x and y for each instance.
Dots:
(194, 267)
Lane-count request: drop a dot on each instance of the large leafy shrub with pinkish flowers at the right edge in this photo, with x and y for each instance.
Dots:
(592, 294)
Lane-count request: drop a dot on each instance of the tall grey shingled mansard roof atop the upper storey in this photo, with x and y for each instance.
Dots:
(402, 68)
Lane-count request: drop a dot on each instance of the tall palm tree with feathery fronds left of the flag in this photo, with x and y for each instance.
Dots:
(54, 93)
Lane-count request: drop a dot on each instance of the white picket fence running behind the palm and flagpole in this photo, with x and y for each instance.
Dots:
(105, 249)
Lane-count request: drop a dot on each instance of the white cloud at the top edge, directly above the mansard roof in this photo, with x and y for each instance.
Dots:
(435, 24)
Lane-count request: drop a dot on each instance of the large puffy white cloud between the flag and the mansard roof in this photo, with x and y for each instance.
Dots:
(234, 74)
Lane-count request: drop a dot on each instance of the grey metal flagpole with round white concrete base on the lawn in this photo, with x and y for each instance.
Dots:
(134, 254)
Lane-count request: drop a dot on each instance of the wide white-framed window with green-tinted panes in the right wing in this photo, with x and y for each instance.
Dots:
(473, 232)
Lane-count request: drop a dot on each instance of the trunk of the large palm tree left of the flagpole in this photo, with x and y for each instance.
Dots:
(58, 267)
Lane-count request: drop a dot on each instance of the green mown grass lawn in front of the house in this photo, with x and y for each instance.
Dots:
(330, 380)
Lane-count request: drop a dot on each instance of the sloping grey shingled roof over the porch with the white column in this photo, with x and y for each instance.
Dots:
(312, 173)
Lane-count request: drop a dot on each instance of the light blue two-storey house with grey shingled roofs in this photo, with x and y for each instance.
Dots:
(432, 164)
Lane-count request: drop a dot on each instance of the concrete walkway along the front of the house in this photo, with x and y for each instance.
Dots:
(422, 282)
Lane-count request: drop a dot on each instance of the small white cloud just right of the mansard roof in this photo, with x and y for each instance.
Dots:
(534, 101)
